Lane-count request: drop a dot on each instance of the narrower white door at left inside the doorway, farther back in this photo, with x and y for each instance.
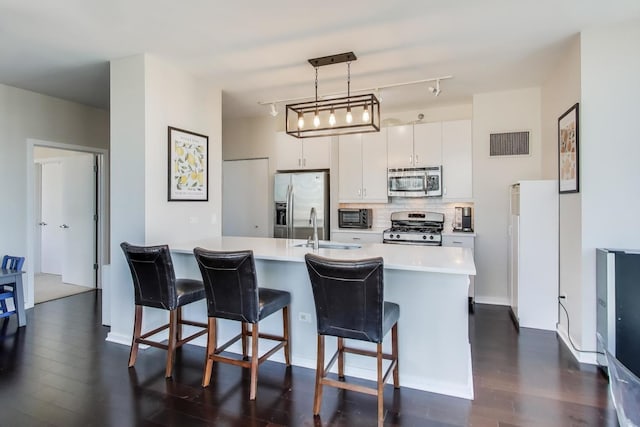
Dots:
(51, 218)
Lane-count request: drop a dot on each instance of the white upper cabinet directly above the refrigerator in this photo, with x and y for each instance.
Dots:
(308, 153)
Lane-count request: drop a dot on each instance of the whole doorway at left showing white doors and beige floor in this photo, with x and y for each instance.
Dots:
(66, 211)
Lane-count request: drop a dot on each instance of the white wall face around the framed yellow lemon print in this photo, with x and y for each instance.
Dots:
(175, 98)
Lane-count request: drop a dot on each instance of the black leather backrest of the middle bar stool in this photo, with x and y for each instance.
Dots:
(230, 284)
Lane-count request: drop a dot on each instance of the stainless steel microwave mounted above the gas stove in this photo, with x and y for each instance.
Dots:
(415, 182)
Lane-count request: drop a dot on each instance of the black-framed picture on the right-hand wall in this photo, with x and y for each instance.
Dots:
(568, 151)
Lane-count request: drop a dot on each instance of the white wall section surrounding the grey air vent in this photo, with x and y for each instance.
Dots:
(516, 110)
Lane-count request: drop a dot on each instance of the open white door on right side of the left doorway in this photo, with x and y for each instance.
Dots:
(78, 220)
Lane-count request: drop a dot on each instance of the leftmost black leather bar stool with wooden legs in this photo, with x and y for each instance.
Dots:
(156, 286)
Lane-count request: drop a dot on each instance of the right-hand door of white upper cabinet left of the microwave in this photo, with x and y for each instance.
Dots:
(374, 167)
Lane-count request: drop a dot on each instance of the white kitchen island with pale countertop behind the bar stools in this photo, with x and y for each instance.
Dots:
(429, 283)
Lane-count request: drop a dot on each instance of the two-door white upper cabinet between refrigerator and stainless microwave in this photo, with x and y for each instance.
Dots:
(363, 168)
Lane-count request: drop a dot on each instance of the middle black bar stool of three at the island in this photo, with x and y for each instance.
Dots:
(232, 293)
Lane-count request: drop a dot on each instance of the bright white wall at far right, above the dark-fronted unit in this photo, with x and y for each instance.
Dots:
(609, 153)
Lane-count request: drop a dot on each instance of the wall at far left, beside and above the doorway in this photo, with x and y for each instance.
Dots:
(29, 115)
